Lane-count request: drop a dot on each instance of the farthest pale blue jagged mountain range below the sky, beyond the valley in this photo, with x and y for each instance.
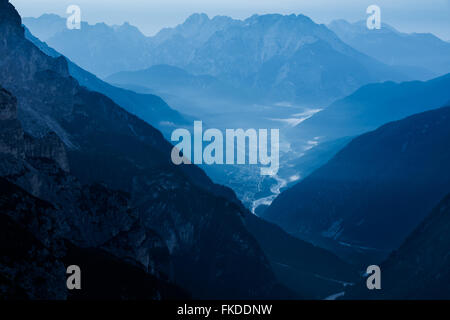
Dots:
(274, 56)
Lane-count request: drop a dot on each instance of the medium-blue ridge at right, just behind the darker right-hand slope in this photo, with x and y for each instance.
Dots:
(364, 110)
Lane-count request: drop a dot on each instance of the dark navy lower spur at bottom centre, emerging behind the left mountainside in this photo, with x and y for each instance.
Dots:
(312, 272)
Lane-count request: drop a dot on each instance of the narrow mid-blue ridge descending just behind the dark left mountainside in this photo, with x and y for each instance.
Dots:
(148, 107)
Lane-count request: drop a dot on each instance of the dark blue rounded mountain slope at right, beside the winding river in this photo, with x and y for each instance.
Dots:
(376, 190)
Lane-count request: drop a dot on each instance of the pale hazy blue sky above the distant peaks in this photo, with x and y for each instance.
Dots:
(152, 15)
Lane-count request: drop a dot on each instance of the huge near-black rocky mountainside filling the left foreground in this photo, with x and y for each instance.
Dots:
(85, 181)
